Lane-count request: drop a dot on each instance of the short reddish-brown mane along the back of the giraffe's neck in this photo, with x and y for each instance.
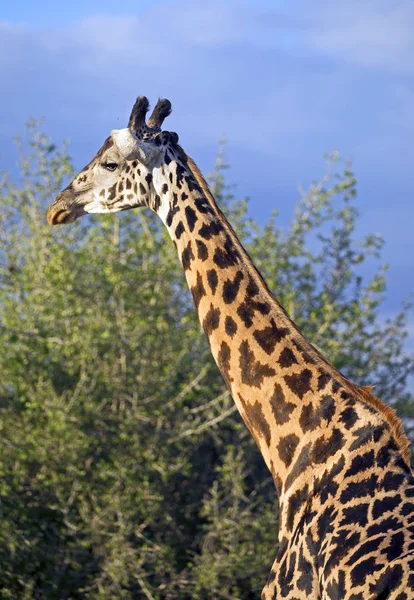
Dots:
(363, 393)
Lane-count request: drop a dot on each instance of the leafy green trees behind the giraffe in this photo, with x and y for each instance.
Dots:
(125, 470)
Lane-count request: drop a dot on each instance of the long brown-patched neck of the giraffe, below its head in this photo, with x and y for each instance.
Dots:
(300, 410)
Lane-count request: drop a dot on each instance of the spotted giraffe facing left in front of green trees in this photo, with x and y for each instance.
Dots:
(338, 456)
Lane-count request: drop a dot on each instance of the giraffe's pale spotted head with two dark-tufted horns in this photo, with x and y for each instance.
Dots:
(119, 177)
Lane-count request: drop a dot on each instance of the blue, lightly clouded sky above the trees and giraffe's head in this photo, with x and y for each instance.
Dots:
(285, 81)
